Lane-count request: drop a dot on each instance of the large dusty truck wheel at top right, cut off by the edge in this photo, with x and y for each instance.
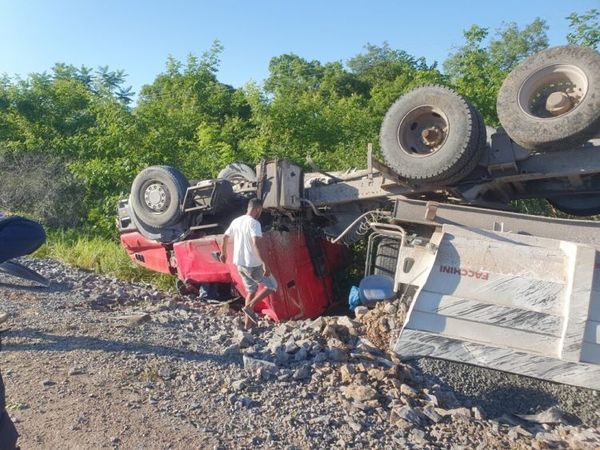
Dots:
(552, 99)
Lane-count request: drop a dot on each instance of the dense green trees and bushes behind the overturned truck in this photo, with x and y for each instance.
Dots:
(73, 133)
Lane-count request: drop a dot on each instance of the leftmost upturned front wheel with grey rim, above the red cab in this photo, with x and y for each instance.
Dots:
(157, 194)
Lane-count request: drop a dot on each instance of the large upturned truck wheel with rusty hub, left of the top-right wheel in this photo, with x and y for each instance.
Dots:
(432, 135)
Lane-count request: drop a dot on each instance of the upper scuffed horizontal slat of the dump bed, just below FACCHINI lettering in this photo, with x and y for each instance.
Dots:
(493, 314)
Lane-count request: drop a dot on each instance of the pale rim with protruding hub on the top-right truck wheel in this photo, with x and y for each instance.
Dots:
(553, 91)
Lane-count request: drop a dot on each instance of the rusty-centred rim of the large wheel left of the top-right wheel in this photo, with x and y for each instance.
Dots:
(423, 131)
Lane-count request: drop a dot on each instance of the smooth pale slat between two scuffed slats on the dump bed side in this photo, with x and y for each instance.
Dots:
(495, 336)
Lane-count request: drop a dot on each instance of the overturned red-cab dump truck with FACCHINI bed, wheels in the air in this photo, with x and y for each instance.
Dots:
(486, 285)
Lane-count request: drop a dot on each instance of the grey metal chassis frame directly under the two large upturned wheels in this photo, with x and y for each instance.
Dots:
(506, 172)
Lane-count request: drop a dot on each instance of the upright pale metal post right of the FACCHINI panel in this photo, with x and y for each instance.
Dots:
(578, 296)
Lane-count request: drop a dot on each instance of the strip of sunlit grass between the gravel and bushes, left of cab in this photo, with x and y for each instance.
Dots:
(102, 255)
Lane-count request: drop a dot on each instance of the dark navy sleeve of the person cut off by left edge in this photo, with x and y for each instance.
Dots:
(19, 237)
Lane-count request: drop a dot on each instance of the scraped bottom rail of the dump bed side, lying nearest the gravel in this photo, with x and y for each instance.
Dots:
(414, 343)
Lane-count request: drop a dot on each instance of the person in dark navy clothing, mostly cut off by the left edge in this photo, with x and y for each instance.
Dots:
(18, 237)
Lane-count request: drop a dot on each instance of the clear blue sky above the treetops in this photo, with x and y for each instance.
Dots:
(138, 36)
